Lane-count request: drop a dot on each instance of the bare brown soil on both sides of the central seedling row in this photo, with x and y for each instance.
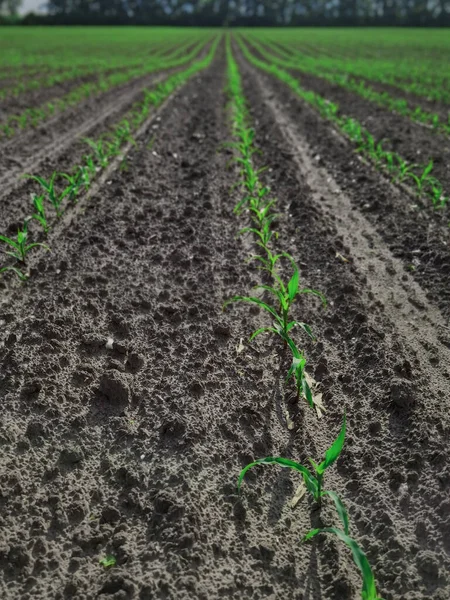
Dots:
(131, 400)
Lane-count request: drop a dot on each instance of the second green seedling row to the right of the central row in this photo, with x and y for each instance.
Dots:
(359, 87)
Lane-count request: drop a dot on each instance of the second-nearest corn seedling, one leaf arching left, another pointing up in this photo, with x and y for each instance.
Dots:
(313, 482)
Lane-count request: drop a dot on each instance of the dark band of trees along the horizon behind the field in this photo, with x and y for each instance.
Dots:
(238, 12)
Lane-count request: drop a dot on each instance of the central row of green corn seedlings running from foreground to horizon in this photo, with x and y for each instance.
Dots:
(258, 203)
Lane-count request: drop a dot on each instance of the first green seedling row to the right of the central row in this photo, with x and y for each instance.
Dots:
(400, 170)
